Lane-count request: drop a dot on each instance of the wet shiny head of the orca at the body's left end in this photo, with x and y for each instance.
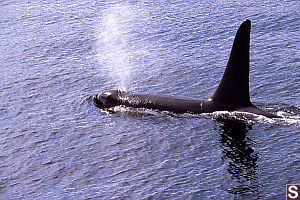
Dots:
(107, 99)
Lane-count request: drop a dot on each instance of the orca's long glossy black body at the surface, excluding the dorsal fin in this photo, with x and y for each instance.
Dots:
(114, 98)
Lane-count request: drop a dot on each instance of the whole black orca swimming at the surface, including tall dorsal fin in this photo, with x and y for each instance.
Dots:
(232, 93)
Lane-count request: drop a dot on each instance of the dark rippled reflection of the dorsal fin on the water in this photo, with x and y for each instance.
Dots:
(240, 158)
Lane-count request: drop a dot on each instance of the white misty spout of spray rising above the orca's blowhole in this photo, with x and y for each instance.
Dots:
(115, 50)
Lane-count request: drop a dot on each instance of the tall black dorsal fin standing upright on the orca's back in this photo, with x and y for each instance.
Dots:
(233, 89)
